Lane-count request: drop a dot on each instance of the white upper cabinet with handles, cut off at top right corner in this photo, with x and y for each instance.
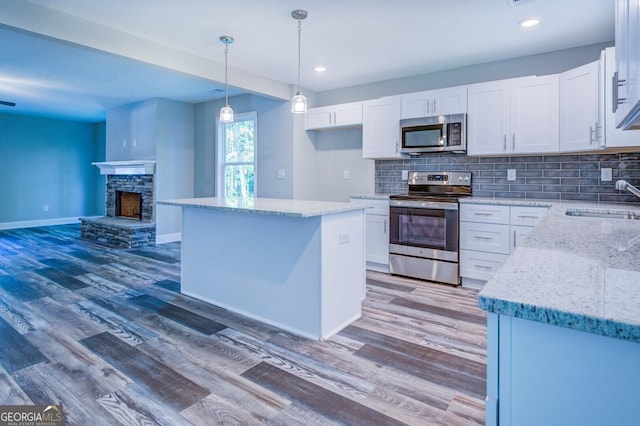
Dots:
(626, 91)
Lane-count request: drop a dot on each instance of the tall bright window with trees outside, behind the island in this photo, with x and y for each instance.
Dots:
(237, 157)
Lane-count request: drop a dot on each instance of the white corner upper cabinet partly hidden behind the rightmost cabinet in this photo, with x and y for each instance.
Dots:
(614, 138)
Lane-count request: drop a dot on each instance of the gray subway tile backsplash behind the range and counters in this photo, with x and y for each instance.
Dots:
(556, 177)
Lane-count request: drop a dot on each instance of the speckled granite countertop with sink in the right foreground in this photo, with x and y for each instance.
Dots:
(576, 272)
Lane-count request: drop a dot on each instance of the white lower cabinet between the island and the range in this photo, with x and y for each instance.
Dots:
(376, 233)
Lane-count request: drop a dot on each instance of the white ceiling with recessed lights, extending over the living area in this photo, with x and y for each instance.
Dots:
(359, 41)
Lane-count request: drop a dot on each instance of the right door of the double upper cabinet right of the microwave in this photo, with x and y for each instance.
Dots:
(534, 115)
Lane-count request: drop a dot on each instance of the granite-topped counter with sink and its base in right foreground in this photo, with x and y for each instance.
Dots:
(563, 344)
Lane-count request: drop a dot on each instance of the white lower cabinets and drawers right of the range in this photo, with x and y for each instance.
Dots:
(489, 233)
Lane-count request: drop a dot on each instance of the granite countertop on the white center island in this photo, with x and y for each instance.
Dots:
(269, 206)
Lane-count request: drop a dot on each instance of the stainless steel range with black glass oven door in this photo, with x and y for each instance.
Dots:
(423, 238)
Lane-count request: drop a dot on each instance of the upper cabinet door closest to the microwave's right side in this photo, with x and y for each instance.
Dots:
(488, 120)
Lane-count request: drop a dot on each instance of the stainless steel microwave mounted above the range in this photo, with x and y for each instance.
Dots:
(434, 134)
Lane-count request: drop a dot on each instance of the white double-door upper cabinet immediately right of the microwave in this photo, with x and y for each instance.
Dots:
(515, 116)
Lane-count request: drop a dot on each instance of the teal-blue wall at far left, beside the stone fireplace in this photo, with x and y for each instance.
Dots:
(48, 162)
